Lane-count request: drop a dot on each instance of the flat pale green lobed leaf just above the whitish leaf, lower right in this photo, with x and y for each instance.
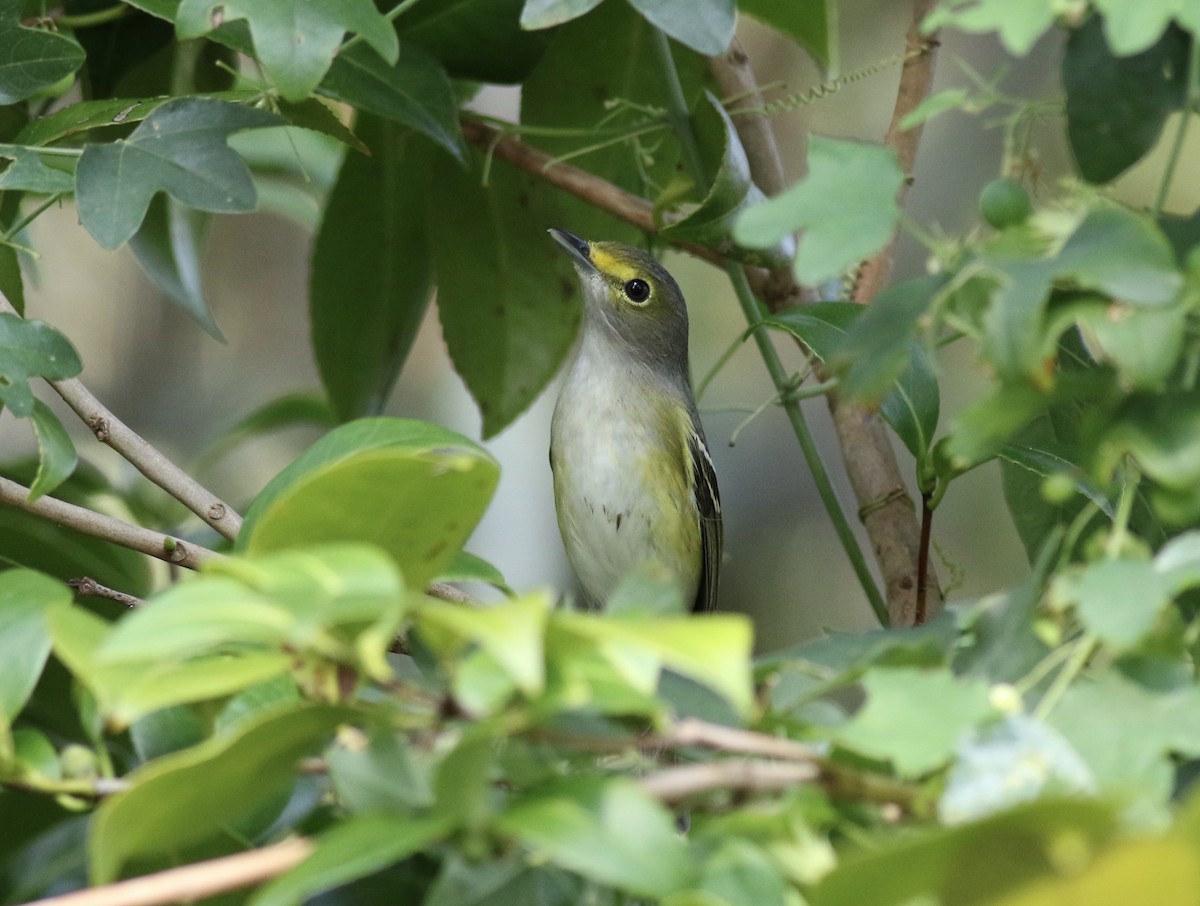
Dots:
(915, 718)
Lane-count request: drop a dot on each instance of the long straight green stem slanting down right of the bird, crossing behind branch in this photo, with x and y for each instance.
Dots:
(677, 113)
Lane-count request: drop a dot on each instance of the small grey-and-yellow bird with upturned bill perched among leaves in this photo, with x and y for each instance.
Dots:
(634, 483)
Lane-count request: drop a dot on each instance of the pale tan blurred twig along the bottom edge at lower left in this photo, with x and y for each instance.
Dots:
(199, 881)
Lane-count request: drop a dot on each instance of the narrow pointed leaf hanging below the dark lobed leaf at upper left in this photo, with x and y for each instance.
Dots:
(169, 247)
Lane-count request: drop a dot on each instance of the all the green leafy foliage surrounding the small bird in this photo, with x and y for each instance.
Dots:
(1034, 747)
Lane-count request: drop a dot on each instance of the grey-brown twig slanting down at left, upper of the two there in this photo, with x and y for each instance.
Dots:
(145, 457)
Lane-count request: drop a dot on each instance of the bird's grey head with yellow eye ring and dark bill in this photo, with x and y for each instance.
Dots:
(631, 299)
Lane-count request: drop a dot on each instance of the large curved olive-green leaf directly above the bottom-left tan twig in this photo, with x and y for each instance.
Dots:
(190, 797)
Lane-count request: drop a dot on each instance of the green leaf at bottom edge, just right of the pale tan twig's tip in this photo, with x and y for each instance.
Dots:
(353, 849)
